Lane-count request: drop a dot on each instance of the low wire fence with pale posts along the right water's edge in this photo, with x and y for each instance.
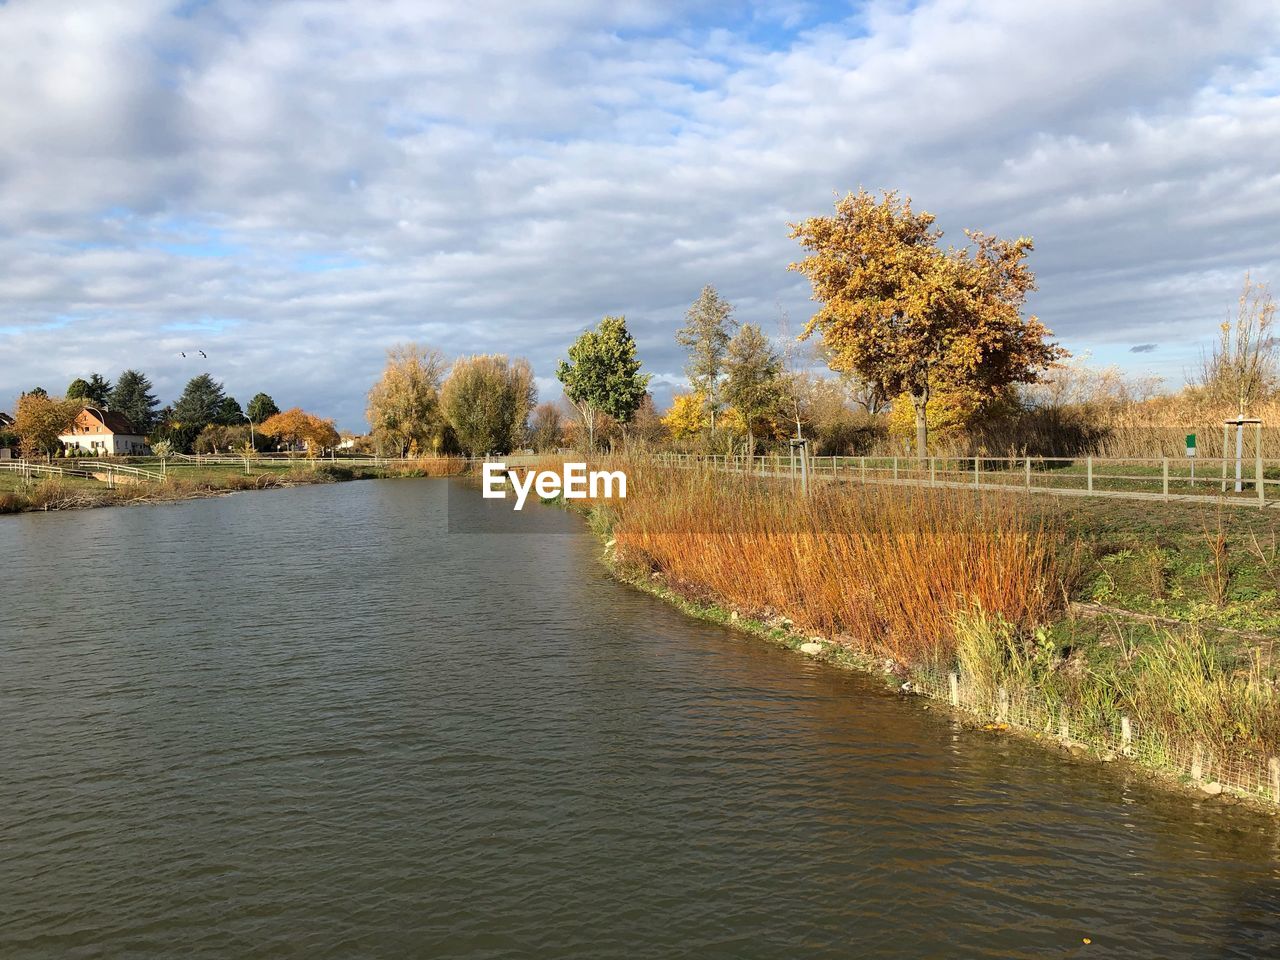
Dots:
(1258, 778)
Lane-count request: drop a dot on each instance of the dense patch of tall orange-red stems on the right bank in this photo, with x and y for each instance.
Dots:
(885, 570)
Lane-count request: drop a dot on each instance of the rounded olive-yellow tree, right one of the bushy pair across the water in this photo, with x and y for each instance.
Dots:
(487, 401)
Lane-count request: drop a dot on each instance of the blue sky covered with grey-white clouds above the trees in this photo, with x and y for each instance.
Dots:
(294, 188)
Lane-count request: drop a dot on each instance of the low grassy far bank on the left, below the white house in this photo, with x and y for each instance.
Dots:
(186, 482)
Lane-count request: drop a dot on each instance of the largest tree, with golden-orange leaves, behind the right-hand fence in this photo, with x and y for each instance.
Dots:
(900, 312)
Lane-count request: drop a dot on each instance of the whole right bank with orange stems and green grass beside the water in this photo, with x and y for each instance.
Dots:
(1145, 630)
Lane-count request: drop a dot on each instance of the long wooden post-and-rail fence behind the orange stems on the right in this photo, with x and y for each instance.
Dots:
(1255, 482)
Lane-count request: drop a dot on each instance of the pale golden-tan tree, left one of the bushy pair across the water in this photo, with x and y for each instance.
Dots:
(405, 404)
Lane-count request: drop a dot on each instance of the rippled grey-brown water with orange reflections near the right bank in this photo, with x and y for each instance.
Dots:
(316, 724)
